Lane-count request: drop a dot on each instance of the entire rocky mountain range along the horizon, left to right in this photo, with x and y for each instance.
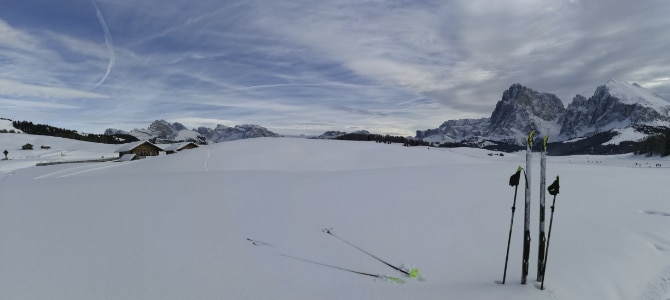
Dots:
(615, 119)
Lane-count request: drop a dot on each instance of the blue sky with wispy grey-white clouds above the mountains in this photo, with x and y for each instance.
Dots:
(305, 67)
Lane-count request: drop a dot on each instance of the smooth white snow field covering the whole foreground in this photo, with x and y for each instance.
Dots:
(176, 226)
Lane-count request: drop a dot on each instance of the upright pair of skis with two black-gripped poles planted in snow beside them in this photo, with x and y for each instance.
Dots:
(553, 190)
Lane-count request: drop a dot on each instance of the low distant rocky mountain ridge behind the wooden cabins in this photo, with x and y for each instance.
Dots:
(163, 132)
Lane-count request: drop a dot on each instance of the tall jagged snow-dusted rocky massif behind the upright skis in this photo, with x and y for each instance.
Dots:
(614, 107)
